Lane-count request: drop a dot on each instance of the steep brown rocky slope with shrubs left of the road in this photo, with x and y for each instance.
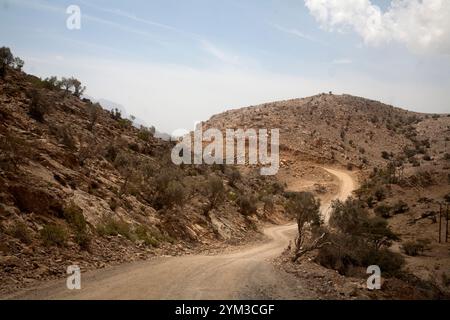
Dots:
(81, 185)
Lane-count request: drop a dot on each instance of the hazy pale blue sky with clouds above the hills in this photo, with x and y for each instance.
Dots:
(173, 62)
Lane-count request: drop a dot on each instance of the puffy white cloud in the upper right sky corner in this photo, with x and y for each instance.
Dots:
(423, 26)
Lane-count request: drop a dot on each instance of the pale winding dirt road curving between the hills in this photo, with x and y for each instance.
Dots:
(246, 274)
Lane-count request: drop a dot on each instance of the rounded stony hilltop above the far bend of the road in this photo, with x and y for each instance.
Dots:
(331, 128)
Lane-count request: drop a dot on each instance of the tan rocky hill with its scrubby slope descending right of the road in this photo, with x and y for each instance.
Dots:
(402, 161)
